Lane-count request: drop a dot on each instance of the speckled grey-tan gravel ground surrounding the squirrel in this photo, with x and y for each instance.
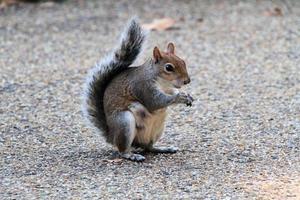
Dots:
(240, 140)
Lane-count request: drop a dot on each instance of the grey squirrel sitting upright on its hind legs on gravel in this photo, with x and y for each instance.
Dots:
(128, 104)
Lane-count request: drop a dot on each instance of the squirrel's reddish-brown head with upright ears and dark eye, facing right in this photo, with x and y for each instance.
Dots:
(170, 67)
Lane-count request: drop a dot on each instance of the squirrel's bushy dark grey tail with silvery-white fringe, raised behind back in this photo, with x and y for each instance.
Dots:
(100, 76)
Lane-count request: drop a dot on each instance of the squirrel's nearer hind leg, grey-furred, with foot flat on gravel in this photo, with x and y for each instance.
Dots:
(123, 128)
